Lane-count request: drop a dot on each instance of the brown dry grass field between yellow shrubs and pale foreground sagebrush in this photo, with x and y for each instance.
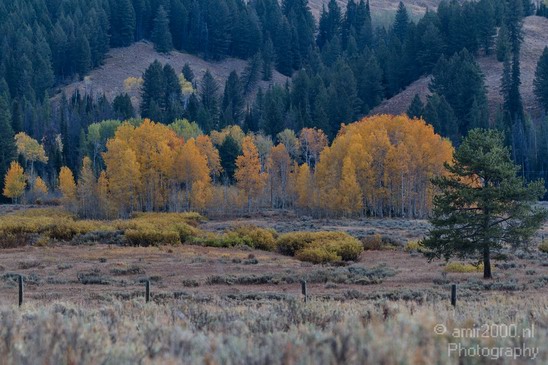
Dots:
(97, 272)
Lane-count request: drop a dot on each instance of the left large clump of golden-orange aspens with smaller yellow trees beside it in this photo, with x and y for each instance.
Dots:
(148, 167)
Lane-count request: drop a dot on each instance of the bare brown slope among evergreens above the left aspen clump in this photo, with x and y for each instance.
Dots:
(132, 61)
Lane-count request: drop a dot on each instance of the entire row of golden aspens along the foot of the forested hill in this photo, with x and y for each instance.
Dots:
(380, 166)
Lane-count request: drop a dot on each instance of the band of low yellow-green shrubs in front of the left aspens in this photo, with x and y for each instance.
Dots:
(45, 226)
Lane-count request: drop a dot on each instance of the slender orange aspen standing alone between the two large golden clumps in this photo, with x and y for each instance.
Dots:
(250, 180)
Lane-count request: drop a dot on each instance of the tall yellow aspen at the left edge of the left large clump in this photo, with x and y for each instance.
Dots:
(123, 175)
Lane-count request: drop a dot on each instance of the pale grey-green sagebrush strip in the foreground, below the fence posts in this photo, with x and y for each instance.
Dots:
(262, 332)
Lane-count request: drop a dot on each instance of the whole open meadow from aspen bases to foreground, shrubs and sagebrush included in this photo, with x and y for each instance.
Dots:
(229, 292)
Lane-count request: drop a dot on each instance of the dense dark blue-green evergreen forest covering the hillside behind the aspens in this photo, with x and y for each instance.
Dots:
(341, 67)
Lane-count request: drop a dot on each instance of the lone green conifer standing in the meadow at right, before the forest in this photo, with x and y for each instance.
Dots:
(483, 206)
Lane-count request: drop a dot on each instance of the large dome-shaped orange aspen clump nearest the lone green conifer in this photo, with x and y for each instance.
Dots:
(381, 165)
